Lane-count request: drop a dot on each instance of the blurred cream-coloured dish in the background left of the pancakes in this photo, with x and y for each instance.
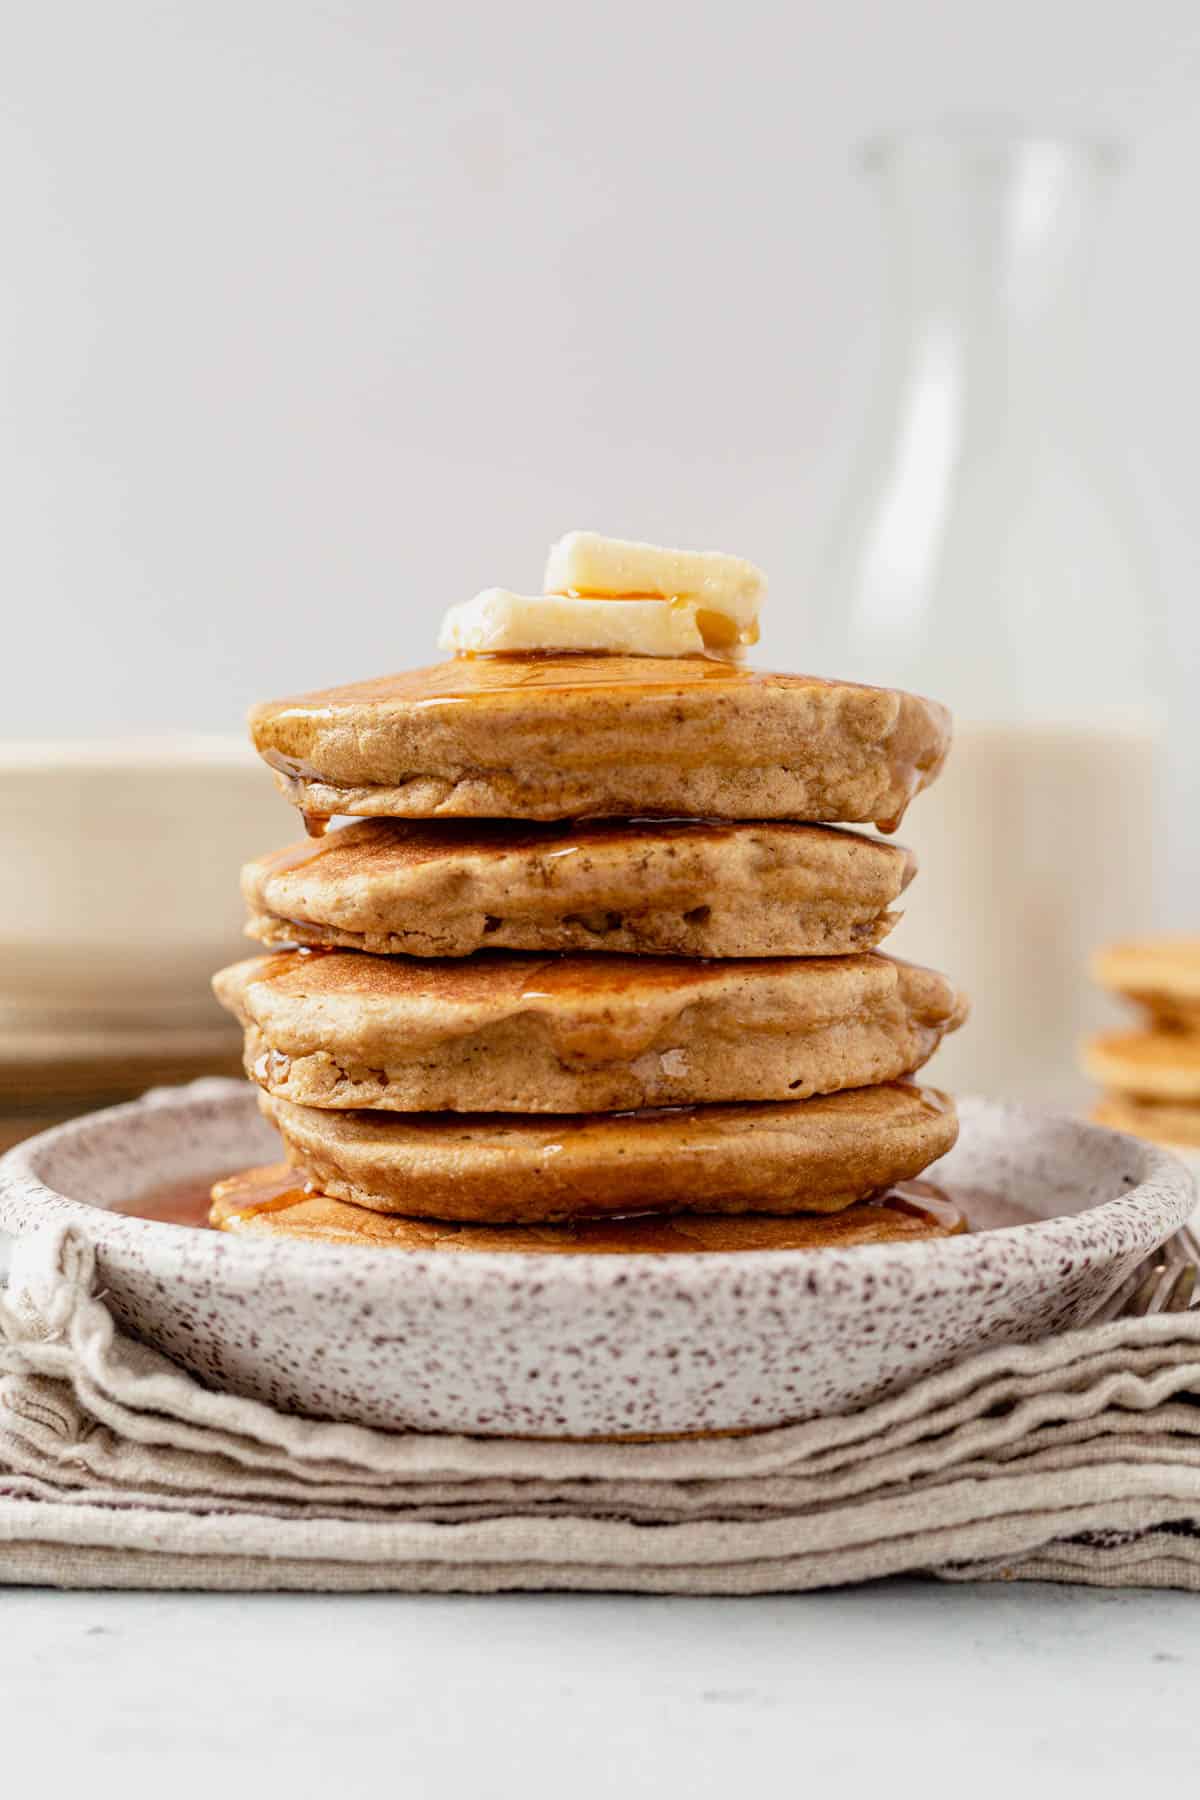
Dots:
(116, 897)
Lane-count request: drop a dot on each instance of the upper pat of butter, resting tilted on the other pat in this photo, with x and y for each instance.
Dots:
(726, 591)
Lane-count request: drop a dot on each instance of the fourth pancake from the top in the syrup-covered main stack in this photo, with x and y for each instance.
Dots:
(810, 1156)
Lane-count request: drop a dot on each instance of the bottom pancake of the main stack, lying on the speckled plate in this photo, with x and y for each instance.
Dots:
(269, 1203)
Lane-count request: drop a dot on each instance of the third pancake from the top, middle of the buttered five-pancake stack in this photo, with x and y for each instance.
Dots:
(578, 1034)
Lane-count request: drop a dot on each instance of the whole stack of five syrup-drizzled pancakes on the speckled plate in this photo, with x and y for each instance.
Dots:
(591, 969)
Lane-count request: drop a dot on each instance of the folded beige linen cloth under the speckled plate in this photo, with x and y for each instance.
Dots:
(1071, 1461)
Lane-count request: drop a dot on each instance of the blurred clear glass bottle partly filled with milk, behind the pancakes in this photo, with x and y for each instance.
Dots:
(985, 557)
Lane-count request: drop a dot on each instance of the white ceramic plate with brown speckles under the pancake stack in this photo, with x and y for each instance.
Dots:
(595, 1345)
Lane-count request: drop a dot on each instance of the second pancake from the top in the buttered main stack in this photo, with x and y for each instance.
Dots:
(681, 888)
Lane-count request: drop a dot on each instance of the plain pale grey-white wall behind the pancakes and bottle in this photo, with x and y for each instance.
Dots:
(316, 318)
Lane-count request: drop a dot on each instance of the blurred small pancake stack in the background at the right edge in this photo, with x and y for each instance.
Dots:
(1152, 1074)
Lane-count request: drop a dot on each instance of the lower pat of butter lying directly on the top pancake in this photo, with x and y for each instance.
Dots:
(499, 620)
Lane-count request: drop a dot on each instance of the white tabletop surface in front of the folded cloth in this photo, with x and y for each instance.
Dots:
(967, 1689)
